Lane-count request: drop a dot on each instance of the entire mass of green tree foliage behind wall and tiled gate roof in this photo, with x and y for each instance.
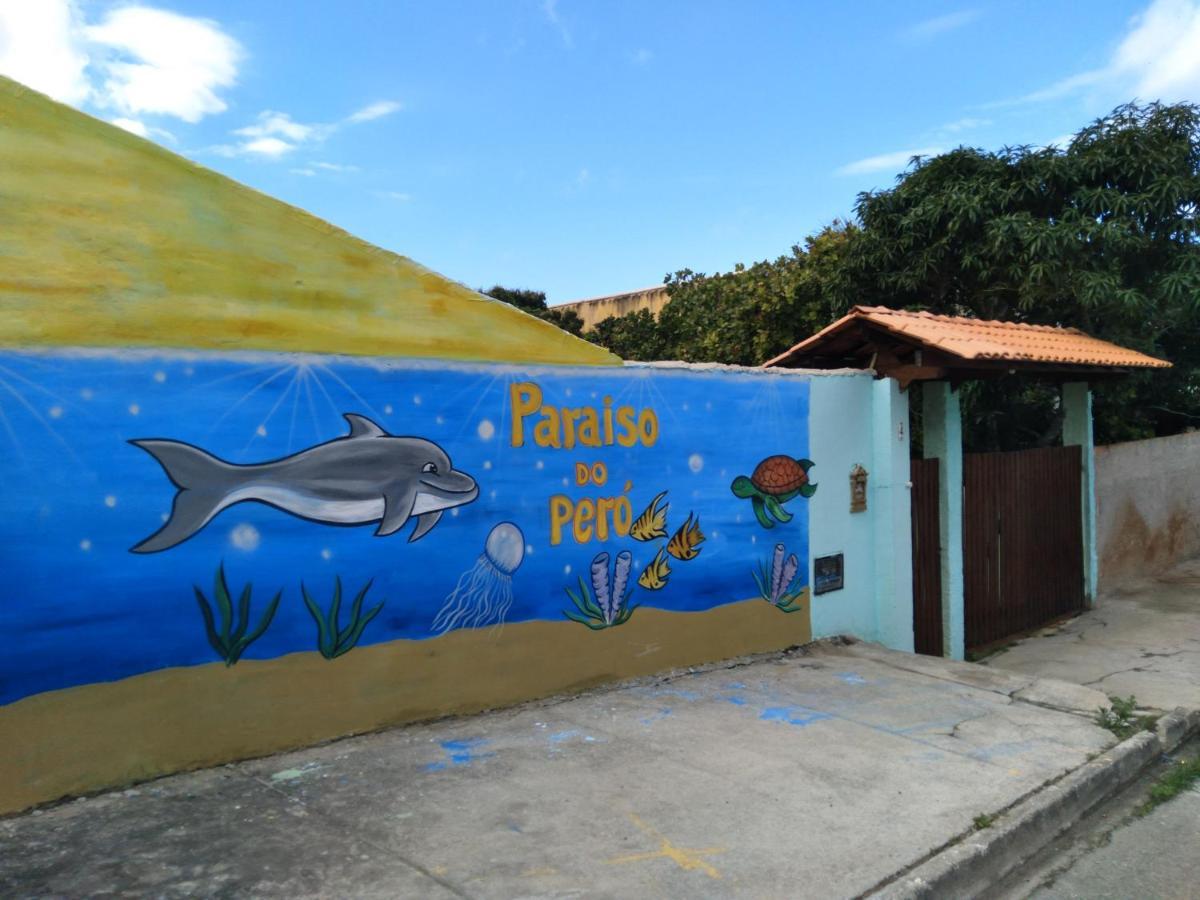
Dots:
(1101, 236)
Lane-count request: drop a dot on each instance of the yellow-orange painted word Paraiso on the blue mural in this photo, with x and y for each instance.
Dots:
(566, 428)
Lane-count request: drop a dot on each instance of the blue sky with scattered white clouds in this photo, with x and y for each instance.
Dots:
(589, 148)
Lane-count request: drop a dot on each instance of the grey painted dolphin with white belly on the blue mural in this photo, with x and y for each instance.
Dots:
(364, 477)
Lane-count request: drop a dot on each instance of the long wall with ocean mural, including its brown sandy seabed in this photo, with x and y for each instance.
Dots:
(214, 556)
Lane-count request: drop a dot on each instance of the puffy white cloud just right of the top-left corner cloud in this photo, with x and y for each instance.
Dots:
(161, 63)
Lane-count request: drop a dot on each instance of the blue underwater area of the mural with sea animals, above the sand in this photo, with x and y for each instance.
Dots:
(185, 509)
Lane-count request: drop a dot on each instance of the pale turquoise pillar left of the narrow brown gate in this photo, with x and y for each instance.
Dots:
(891, 500)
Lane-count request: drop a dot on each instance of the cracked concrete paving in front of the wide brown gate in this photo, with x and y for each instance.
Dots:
(1144, 640)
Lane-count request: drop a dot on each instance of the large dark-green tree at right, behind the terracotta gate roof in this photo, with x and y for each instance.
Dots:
(1101, 236)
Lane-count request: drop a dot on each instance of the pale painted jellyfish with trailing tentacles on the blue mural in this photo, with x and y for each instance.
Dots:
(484, 592)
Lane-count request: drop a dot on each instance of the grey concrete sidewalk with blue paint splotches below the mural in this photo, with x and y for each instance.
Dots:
(820, 773)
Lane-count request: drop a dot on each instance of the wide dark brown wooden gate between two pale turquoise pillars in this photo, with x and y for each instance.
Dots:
(1023, 542)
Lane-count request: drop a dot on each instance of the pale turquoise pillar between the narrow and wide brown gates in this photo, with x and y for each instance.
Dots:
(944, 441)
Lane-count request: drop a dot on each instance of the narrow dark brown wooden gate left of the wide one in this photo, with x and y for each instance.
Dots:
(927, 559)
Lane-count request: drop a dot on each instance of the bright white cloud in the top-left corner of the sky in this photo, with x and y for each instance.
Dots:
(41, 46)
